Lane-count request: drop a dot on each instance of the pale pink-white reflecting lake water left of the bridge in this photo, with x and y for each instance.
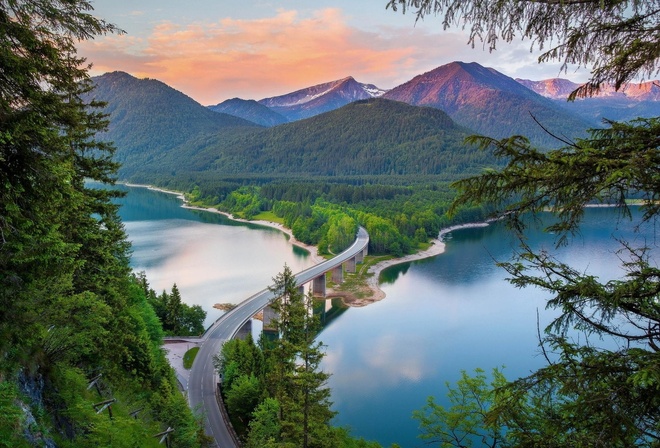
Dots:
(211, 259)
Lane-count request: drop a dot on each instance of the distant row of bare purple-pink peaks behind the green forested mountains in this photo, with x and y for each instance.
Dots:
(476, 97)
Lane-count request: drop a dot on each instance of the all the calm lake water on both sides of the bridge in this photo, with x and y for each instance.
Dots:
(442, 315)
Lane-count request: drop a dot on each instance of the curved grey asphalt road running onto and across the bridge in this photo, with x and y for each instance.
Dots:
(203, 378)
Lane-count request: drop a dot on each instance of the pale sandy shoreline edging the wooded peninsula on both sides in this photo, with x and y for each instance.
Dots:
(437, 247)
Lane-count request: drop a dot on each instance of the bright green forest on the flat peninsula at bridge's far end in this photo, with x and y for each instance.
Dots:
(400, 217)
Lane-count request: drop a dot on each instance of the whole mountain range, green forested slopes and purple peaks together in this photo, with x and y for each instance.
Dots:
(350, 129)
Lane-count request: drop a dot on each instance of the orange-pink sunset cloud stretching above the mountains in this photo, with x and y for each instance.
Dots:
(253, 59)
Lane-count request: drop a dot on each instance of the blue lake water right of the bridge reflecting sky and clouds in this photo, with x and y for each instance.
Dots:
(450, 313)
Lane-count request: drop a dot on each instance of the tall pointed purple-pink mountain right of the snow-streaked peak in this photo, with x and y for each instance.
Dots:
(490, 103)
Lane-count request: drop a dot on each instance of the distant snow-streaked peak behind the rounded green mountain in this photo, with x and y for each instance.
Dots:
(321, 98)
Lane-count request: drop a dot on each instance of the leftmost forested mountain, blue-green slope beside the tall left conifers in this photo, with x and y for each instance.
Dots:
(148, 118)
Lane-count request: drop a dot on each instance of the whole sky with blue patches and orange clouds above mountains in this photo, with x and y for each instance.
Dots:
(214, 50)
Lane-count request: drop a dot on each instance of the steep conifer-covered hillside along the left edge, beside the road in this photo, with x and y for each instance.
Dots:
(81, 363)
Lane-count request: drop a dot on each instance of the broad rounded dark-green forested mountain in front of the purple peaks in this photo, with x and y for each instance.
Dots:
(363, 138)
